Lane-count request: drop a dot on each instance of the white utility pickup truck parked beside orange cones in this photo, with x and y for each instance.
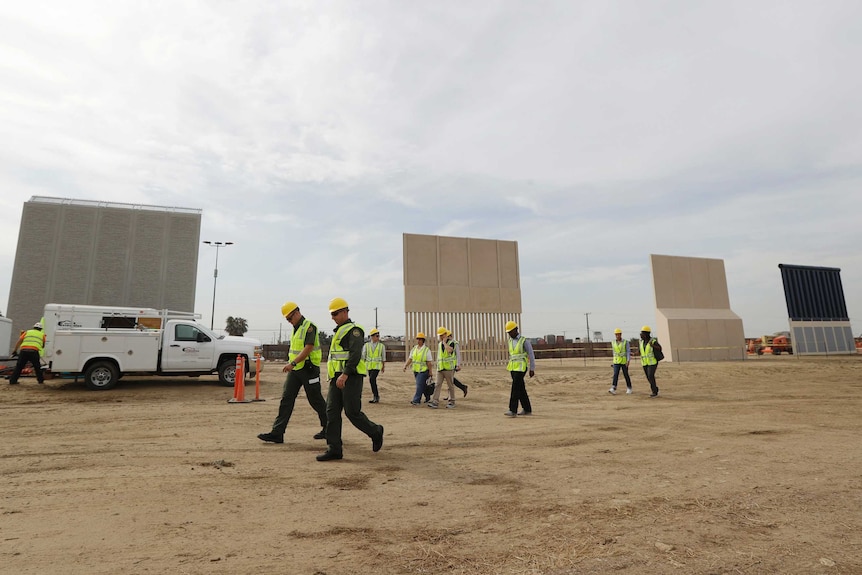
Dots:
(103, 343)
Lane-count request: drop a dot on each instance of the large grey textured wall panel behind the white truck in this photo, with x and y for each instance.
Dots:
(103, 253)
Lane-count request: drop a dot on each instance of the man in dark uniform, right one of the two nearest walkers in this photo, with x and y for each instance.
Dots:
(346, 370)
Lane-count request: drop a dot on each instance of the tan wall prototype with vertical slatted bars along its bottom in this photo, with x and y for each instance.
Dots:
(471, 286)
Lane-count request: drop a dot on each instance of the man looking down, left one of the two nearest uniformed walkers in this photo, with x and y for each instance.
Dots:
(303, 371)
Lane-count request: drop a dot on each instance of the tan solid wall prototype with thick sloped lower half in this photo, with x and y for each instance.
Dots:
(694, 321)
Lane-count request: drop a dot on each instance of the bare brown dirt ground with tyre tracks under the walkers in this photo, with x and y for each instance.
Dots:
(738, 467)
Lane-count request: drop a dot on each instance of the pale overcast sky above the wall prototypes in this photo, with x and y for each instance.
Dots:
(313, 134)
